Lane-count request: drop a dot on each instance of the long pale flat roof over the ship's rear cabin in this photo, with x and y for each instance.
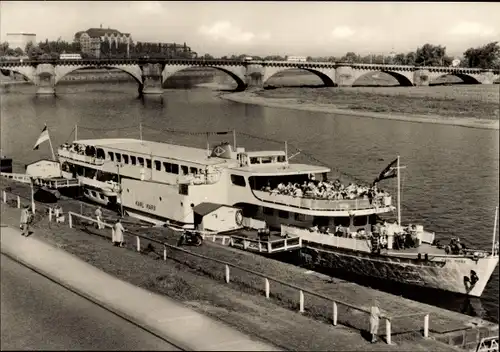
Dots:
(164, 150)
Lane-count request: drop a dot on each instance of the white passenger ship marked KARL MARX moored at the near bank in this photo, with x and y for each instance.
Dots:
(160, 182)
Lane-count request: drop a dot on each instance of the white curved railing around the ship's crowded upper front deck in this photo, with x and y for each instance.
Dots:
(321, 204)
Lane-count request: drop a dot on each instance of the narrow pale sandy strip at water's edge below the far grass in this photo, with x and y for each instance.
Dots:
(297, 104)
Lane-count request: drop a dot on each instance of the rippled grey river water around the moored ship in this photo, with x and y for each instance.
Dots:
(450, 183)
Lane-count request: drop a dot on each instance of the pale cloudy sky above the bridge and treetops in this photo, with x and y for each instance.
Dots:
(265, 28)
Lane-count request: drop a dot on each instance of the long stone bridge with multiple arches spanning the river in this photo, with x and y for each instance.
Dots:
(150, 74)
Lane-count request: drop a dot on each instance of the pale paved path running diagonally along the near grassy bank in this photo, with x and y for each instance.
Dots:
(166, 318)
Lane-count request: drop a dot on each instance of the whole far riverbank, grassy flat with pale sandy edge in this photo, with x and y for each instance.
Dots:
(480, 114)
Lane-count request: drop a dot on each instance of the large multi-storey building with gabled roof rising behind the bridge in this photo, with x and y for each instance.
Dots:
(93, 39)
